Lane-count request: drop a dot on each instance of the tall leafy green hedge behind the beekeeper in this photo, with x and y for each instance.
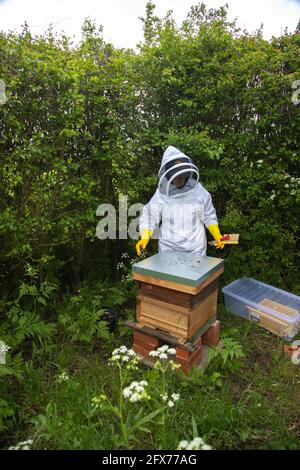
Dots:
(85, 123)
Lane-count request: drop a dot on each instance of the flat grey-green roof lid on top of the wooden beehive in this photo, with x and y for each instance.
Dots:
(180, 267)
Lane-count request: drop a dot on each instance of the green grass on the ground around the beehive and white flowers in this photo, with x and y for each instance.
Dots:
(253, 406)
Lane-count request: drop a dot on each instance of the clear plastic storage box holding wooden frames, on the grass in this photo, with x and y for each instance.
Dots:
(274, 309)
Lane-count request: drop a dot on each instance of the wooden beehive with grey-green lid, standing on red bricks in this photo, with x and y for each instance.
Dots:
(177, 291)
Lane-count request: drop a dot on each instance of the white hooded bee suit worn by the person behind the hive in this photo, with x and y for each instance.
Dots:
(180, 214)
